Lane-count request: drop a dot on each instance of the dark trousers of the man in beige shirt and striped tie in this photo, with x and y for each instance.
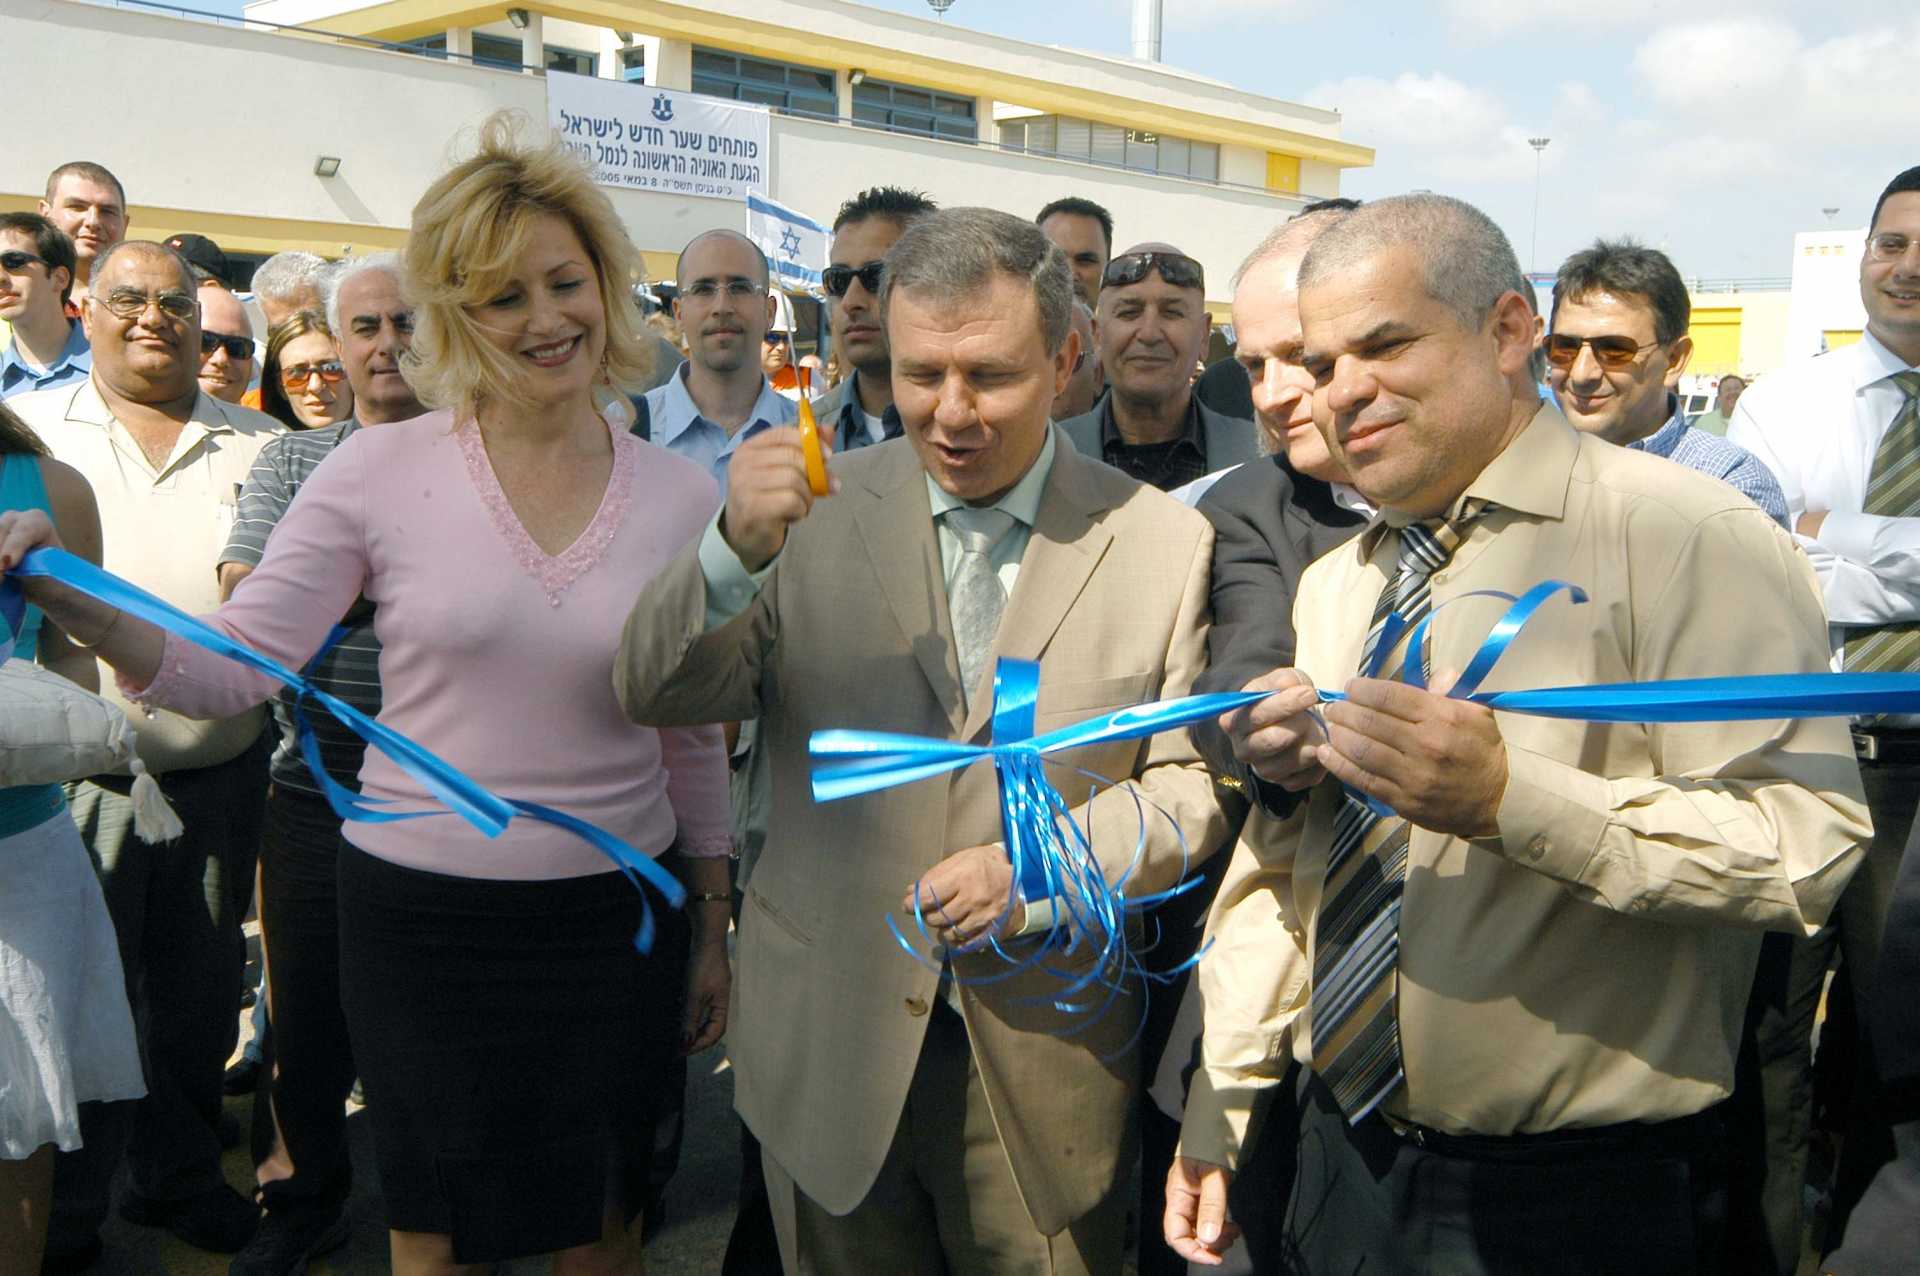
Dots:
(1646, 1200)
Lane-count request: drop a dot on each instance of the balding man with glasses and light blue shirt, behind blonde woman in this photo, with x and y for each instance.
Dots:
(721, 396)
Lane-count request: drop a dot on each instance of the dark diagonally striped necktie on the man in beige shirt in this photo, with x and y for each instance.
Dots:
(1356, 945)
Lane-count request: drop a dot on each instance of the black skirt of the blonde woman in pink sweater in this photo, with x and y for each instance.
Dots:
(512, 1045)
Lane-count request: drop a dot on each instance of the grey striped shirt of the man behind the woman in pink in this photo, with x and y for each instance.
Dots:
(352, 669)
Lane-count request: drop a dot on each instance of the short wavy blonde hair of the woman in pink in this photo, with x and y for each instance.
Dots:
(469, 231)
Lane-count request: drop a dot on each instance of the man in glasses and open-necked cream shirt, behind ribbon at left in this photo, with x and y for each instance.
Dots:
(166, 463)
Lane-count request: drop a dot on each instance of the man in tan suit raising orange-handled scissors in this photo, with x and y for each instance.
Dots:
(911, 1122)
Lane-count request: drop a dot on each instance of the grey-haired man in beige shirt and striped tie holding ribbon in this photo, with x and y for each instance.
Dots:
(1518, 999)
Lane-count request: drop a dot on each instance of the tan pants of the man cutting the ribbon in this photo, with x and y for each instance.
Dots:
(946, 1200)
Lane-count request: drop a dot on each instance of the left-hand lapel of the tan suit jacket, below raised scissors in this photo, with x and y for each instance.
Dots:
(898, 532)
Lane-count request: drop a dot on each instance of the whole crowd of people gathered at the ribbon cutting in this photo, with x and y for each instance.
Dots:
(1445, 989)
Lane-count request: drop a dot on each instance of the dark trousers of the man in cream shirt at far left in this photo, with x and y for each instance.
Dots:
(178, 914)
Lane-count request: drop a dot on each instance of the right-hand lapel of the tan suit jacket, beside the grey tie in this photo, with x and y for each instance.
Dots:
(1063, 552)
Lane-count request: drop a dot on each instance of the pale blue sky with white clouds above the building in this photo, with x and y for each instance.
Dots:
(1712, 130)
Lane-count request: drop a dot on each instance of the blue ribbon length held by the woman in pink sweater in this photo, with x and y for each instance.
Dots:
(454, 790)
